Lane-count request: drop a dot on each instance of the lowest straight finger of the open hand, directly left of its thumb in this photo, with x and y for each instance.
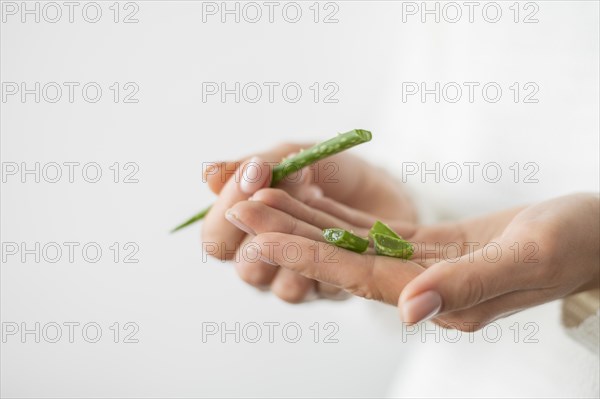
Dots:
(372, 277)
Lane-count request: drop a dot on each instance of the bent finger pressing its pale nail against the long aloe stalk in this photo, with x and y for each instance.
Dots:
(249, 178)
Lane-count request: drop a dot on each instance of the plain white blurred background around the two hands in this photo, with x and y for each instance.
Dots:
(171, 131)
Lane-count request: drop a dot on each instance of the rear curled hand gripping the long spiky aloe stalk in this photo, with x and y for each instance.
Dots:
(342, 177)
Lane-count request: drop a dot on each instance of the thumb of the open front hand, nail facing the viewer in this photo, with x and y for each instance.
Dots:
(455, 284)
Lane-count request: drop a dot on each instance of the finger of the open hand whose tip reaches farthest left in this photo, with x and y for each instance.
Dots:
(254, 217)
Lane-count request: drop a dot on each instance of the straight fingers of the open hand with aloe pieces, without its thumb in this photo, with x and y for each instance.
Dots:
(288, 233)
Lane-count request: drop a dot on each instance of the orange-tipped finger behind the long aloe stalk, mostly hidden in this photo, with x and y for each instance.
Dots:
(216, 174)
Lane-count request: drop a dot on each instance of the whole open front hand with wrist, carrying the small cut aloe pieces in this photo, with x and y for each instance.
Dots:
(464, 274)
